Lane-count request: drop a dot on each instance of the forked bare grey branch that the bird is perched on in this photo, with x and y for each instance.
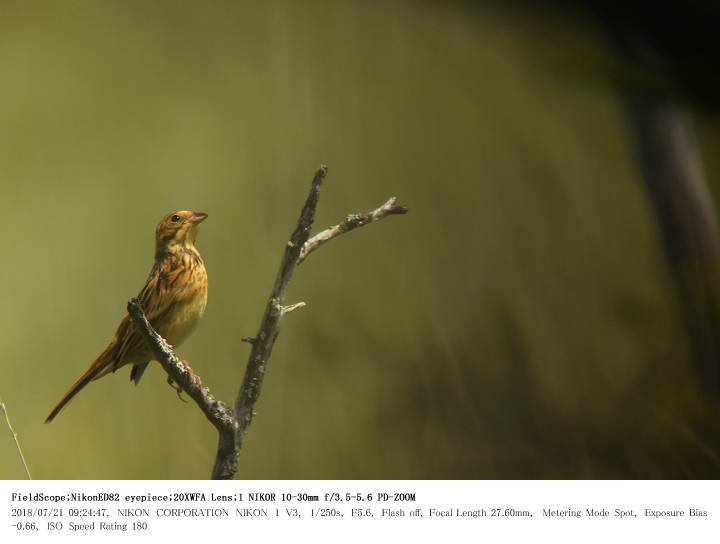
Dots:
(232, 425)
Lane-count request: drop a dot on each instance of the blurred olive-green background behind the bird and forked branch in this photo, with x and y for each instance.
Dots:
(518, 323)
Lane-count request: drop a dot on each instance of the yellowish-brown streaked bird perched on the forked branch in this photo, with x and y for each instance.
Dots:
(174, 299)
